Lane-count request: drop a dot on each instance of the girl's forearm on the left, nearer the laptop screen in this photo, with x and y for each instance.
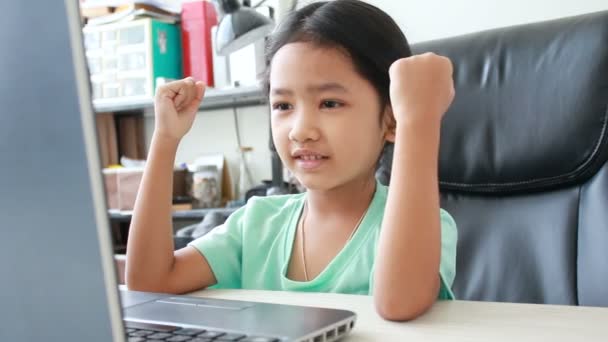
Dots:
(150, 245)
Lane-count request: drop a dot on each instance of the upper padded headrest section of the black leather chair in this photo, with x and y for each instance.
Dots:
(531, 106)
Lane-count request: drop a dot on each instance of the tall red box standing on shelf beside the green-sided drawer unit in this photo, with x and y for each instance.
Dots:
(198, 17)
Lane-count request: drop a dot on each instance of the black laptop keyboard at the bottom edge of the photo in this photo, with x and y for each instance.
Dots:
(140, 332)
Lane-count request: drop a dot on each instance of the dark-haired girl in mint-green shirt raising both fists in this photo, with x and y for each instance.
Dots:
(342, 83)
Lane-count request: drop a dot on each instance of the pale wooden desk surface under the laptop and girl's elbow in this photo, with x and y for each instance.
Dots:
(450, 321)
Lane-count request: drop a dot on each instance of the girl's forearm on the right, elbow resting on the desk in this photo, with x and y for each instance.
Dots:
(409, 251)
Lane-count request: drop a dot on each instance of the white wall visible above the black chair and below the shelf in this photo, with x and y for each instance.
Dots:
(420, 19)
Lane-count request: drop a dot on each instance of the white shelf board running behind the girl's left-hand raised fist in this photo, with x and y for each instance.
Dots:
(214, 99)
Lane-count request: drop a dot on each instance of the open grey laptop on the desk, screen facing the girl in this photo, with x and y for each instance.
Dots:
(58, 277)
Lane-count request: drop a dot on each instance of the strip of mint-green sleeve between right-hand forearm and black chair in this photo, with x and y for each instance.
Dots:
(447, 266)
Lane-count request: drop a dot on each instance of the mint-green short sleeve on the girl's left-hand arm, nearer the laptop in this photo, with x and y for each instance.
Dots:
(222, 247)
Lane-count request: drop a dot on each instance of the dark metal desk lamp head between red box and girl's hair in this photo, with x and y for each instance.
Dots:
(239, 26)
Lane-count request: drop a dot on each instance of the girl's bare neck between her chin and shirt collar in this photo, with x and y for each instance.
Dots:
(350, 199)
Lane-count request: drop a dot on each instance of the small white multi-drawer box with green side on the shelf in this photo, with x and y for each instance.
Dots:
(126, 59)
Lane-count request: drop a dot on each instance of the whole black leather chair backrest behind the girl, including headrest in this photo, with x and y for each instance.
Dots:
(523, 161)
